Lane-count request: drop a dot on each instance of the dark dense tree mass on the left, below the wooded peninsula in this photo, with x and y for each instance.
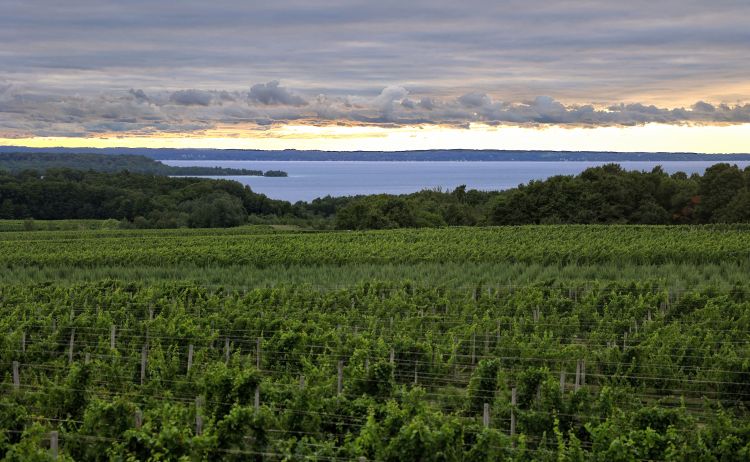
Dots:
(139, 199)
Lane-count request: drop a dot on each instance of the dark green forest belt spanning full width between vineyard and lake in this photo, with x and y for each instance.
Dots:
(599, 195)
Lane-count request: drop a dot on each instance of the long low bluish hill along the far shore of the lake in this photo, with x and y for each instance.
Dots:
(427, 155)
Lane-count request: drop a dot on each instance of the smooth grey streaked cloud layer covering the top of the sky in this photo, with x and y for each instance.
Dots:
(577, 50)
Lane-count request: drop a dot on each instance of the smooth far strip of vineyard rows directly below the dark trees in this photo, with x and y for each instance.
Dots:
(695, 245)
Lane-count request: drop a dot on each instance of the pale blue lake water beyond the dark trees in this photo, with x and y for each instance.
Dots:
(310, 179)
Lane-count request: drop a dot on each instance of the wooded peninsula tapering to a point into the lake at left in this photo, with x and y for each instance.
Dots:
(110, 163)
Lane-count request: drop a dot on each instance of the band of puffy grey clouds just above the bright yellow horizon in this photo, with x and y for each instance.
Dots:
(36, 113)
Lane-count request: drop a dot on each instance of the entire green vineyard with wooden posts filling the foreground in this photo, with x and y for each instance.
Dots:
(604, 350)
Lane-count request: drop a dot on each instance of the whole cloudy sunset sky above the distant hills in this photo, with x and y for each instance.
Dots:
(668, 75)
